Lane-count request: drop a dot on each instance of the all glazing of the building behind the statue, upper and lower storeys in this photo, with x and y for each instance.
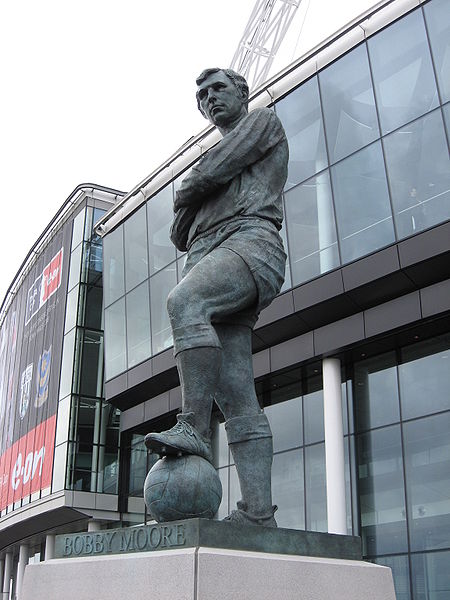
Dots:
(369, 166)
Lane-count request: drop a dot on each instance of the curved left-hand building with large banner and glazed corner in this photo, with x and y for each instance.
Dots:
(58, 436)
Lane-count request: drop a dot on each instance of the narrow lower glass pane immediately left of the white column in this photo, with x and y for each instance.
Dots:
(316, 489)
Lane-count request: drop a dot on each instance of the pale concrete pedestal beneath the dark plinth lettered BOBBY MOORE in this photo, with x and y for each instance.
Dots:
(206, 574)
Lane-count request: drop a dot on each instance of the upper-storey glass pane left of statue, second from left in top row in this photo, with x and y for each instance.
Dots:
(136, 260)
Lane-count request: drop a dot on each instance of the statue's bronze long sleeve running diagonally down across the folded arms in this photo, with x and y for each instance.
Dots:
(247, 143)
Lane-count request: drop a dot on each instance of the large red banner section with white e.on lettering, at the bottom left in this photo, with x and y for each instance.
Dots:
(26, 467)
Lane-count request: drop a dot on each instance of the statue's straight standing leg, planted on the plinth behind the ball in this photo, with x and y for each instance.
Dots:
(247, 427)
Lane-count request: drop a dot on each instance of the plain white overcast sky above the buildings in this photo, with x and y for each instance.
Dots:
(102, 91)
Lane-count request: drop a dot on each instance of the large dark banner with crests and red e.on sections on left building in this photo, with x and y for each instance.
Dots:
(30, 361)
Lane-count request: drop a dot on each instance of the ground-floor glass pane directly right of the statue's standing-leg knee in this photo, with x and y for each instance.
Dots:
(285, 421)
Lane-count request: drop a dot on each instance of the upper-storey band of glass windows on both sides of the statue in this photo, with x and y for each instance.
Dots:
(369, 165)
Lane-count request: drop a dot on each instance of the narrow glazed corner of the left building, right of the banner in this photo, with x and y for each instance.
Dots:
(87, 439)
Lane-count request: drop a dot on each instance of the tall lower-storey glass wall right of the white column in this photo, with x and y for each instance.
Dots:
(402, 409)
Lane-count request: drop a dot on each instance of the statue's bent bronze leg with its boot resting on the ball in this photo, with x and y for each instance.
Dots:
(219, 284)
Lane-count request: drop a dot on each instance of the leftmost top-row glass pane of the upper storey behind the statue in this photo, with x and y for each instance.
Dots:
(113, 268)
